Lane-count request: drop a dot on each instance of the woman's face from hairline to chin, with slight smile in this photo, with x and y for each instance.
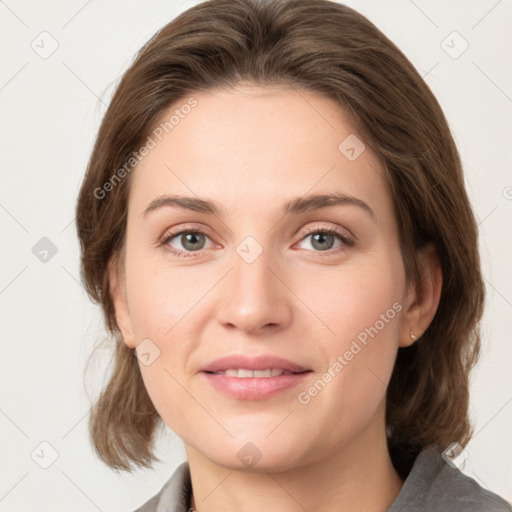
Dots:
(264, 278)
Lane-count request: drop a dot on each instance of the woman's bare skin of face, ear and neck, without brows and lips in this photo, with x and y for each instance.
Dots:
(252, 150)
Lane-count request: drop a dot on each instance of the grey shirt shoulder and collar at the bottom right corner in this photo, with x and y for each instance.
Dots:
(433, 484)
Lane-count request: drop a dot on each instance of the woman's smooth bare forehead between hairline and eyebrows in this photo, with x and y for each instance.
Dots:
(254, 146)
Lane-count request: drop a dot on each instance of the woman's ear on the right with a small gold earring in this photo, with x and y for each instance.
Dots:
(423, 298)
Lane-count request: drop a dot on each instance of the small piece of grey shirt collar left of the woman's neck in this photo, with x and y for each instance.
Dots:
(174, 496)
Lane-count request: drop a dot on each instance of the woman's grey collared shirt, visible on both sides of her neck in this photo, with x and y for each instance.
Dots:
(432, 485)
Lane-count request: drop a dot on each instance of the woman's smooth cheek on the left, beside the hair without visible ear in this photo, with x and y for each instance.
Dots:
(161, 305)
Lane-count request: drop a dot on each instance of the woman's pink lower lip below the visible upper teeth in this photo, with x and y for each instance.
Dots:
(254, 388)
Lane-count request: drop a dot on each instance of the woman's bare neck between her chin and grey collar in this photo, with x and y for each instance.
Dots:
(357, 476)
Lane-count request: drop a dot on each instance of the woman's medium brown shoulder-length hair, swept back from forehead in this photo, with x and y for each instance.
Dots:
(330, 49)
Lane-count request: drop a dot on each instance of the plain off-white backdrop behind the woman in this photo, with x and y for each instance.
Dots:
(51, 107)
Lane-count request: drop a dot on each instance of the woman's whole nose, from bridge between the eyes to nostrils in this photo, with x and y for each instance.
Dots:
(253, 297)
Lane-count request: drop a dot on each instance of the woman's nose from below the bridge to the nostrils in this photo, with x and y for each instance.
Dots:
(254, 297)
